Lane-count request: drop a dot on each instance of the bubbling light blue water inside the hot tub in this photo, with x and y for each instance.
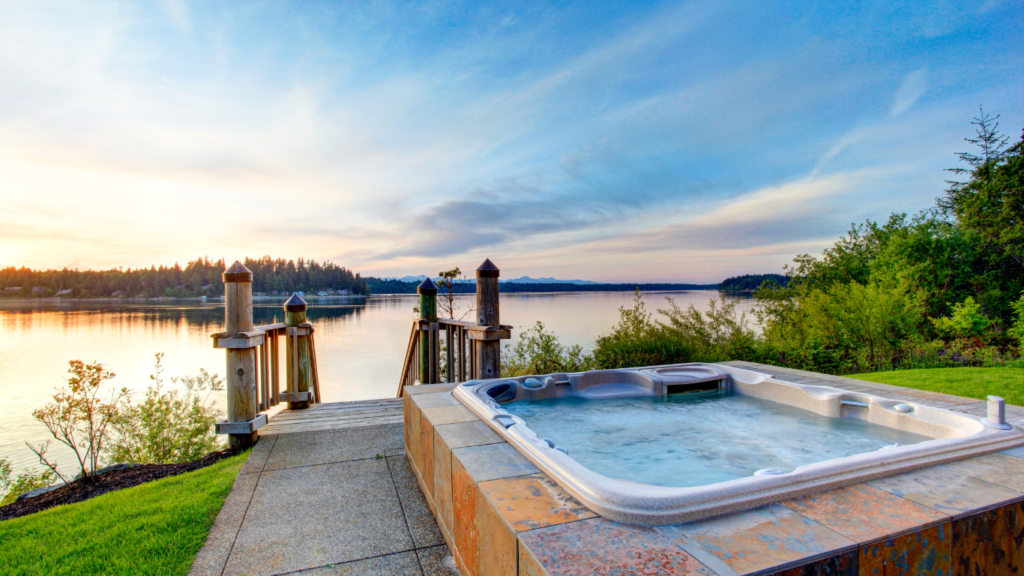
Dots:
(696, 440)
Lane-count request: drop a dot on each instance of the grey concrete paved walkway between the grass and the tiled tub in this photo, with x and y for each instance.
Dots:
(327, 503)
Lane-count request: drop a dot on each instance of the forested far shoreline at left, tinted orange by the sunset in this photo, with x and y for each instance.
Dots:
(198, 278)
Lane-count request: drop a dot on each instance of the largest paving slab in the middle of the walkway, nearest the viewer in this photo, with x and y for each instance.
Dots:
(314, 516)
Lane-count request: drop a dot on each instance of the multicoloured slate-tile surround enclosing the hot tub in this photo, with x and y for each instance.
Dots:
(501, 516)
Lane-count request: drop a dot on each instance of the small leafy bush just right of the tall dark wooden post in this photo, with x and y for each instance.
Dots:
(539, 352)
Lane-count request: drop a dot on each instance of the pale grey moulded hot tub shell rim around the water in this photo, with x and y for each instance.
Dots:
(956, 437)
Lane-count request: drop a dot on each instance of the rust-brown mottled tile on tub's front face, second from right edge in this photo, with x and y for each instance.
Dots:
(926, 553)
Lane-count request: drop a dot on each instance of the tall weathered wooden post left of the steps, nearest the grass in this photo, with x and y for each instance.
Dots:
(241, 340)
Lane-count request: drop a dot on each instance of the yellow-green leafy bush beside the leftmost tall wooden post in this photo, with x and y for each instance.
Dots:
(170, 426)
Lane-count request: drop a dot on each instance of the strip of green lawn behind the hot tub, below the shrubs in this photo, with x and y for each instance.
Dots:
(970, 383)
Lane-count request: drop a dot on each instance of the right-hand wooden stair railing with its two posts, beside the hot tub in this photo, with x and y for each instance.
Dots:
(473, 350)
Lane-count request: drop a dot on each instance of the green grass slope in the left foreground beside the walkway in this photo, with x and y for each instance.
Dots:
(155, 528)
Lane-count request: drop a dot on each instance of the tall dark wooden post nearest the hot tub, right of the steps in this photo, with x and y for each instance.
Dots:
(489, 333)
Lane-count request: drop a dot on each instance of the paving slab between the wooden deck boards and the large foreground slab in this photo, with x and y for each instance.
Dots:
(307, 449)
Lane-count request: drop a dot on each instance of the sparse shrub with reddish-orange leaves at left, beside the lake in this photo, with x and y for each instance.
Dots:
(79, 419)
